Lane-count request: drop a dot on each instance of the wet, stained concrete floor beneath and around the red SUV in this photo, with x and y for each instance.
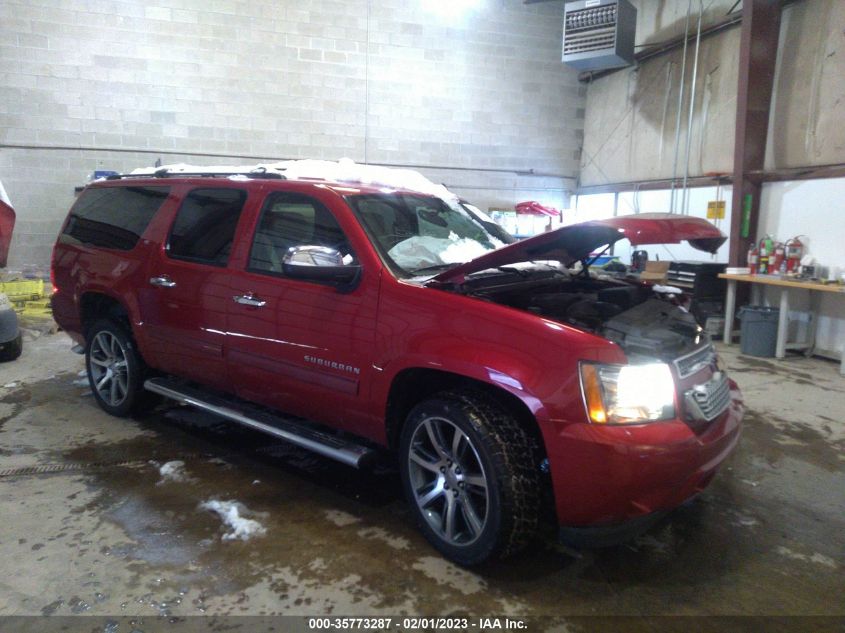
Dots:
(90, 525)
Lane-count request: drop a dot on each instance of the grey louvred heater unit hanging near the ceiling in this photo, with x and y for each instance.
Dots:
(598, 34)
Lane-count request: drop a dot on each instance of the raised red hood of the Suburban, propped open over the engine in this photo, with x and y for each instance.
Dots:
(570, 244)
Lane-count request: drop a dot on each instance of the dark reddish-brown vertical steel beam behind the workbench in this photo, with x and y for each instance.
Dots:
(757, 54)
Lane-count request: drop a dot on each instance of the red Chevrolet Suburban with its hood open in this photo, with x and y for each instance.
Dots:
(350, 319)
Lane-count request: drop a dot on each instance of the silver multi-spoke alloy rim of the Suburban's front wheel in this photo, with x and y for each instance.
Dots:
(448, 481)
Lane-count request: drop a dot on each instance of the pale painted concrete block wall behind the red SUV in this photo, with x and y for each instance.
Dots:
(472, 92)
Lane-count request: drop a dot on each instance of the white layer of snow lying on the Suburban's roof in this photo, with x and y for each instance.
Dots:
(344, 171)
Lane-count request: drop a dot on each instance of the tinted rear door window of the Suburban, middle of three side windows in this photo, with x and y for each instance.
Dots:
(205, 226)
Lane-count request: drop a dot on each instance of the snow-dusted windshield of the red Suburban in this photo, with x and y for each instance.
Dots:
(418, 234)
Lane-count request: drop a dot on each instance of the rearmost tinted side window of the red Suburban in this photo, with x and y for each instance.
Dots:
(113, 217)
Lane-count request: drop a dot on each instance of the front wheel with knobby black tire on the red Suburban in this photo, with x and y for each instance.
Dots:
(471, 477)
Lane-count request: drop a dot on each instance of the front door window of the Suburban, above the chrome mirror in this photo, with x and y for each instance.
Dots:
(292, 219)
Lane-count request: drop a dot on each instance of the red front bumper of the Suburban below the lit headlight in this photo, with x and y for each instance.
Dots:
(608, 475)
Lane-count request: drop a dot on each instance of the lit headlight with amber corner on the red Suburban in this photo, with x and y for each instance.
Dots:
(628, 394)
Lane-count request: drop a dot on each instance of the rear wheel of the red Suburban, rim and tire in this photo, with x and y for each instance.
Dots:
(115, 369)
